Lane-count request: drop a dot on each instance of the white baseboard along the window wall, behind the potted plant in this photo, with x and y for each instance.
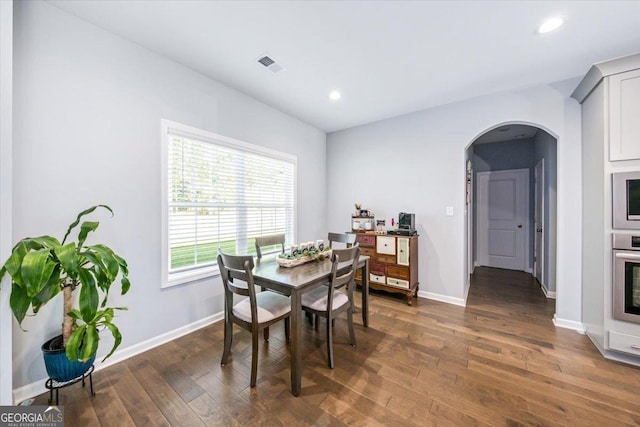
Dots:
(36, 388)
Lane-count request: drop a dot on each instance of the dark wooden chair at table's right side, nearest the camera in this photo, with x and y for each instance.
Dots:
(329, 301)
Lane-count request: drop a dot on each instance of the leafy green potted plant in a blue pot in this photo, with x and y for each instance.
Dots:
(42, 267)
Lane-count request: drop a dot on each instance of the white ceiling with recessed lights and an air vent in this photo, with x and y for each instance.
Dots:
(386, 57)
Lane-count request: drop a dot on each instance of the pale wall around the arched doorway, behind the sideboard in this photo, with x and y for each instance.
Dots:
(416, 163)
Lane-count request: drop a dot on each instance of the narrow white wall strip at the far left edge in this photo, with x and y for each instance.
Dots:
(6, 111)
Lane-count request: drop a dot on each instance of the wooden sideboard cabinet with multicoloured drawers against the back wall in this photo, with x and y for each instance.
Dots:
(393, 266)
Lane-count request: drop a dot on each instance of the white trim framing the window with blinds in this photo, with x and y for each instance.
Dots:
(174, 128)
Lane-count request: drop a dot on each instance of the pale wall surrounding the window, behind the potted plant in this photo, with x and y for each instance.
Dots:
(87, 116)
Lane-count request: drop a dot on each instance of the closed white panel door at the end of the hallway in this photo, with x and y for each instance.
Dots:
(503, 225)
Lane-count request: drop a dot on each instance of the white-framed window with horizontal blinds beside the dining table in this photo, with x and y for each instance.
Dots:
(220, 193)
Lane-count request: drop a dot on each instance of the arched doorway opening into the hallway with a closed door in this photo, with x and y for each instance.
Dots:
(511, 200)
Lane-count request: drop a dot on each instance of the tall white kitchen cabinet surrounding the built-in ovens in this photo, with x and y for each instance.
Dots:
(610, 98)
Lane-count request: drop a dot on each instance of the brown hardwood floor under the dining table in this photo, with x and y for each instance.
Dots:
(499, 361)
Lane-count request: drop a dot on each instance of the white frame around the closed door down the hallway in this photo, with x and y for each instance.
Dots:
(483, 220)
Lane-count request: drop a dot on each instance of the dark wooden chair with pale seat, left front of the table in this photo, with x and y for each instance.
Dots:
(255, 313)
